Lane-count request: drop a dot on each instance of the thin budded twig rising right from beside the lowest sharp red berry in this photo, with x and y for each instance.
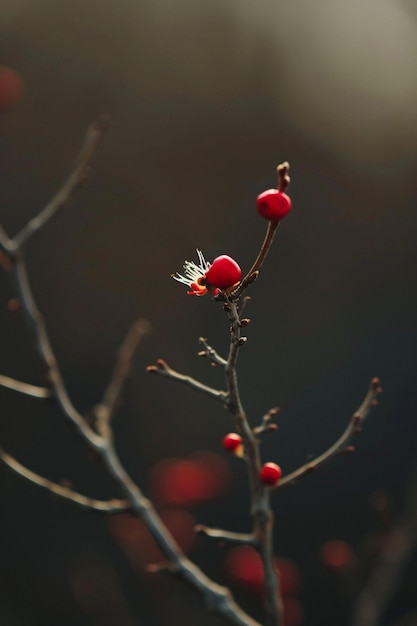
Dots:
(341, 445)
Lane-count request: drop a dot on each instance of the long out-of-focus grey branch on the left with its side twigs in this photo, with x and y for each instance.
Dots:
(217, 598)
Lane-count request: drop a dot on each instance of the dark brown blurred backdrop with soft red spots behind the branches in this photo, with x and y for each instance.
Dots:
(206, 98)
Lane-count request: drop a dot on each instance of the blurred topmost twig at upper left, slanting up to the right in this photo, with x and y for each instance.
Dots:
(93, 139)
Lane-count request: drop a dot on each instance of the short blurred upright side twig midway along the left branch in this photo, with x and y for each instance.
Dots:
(105, 410)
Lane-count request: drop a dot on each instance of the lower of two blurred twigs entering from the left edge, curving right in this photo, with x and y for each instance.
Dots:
(103, 506)
